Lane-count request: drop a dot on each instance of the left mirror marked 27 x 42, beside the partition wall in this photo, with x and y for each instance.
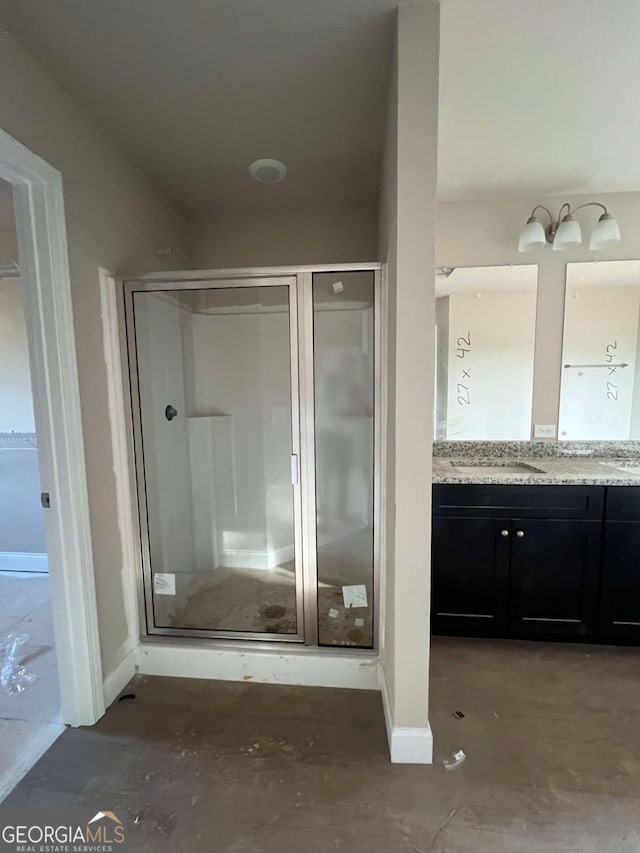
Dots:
(485, 335)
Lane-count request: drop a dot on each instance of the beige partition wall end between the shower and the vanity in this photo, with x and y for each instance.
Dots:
(407, 237)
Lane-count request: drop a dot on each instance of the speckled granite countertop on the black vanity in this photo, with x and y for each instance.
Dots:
(553, 463)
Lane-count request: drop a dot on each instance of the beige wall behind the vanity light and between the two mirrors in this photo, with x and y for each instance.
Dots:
(479, 233)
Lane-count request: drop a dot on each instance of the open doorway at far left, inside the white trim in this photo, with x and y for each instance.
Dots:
(30, 714)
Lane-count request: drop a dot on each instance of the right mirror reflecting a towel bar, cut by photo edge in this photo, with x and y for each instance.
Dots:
(600, 390)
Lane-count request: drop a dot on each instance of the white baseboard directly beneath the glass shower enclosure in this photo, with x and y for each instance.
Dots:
(304, 668)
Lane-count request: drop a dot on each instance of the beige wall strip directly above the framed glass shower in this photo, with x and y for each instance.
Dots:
(278, 239)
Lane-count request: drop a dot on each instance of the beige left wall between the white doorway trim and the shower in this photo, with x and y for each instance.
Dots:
(115, 219)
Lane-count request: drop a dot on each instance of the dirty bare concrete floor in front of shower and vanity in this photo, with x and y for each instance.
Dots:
(550, 731)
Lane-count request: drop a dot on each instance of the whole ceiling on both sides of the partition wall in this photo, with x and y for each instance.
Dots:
(537, 96)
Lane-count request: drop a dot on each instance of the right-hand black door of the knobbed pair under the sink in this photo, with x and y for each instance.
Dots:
(554, 577)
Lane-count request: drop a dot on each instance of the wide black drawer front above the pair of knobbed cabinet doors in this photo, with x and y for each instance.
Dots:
(501, 501)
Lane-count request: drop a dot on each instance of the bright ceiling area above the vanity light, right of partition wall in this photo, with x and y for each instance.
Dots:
(539, 96)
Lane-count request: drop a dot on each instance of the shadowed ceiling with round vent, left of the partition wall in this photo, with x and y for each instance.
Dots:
(195, 90)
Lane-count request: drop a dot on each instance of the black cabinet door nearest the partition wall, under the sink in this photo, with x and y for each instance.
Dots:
(470, 570)
